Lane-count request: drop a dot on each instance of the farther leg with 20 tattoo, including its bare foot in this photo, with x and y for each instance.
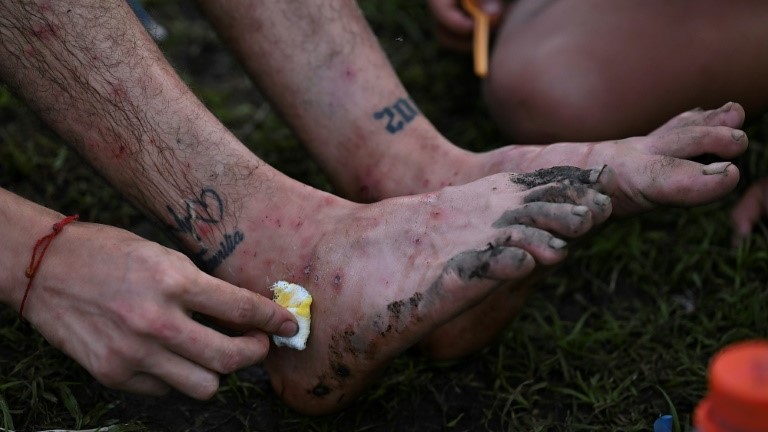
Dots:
(345, 102)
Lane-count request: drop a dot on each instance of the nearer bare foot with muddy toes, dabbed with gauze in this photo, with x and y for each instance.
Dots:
(385, 275)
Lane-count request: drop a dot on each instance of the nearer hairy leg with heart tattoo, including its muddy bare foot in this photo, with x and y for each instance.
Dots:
(382, 275)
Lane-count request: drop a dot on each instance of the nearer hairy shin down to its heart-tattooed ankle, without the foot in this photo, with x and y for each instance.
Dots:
(95, 76)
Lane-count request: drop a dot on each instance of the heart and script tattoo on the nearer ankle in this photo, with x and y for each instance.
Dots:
(206, 209)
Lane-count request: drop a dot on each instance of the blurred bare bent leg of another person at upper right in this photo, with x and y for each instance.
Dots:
(602, 69)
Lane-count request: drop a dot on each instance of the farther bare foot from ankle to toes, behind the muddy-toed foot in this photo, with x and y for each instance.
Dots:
(651, 171)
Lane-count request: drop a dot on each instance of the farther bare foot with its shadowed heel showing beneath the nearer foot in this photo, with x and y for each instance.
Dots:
(650, 171)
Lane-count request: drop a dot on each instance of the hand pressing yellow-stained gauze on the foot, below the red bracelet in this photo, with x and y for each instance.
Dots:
(121, 307)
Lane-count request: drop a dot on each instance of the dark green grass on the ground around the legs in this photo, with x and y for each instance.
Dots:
(631, 319)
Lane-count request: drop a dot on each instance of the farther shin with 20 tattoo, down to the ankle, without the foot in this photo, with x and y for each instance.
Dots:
(324, 70)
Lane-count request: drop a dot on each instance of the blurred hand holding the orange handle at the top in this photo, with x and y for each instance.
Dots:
(455, 26)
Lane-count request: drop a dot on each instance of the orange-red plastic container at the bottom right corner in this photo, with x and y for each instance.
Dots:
(738, 390)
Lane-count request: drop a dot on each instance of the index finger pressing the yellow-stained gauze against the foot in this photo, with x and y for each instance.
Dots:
(239, 307)
